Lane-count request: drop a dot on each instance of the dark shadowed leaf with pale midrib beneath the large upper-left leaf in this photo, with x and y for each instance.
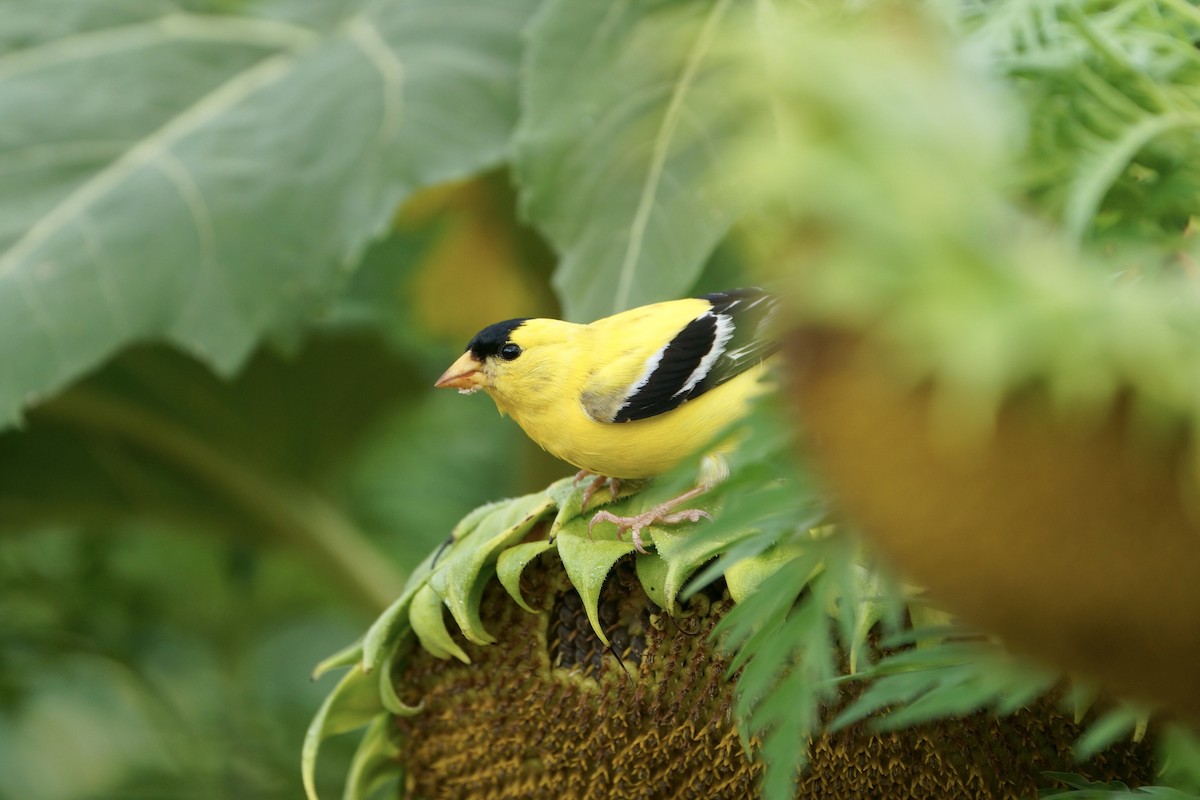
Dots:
(155, 436)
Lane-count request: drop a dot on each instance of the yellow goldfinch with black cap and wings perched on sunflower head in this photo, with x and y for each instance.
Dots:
(631, 395)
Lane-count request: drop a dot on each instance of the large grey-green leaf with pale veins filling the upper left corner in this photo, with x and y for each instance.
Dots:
(205, 178)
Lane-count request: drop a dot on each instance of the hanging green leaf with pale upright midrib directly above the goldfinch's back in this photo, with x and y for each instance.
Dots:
(621, 128)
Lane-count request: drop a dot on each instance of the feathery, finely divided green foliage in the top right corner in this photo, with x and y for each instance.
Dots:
(1112, 101)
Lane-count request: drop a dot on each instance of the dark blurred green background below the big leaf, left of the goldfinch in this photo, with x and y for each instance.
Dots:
(179, 550)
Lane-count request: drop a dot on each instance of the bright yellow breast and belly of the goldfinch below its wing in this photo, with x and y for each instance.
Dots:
(643, 448)
